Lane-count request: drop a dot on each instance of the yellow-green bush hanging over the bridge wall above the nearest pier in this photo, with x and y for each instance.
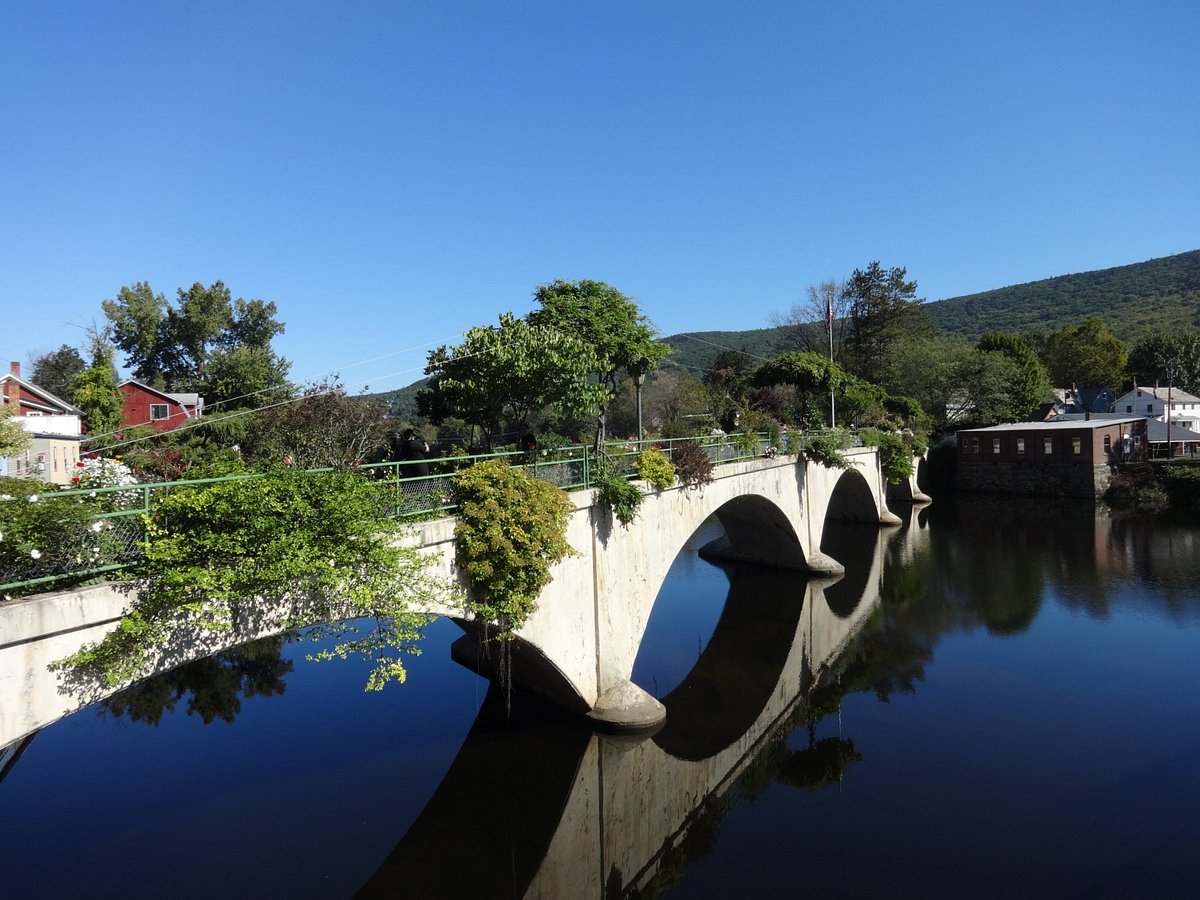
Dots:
(512, 530)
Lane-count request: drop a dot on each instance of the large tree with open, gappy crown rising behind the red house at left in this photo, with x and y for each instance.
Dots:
(172, 347)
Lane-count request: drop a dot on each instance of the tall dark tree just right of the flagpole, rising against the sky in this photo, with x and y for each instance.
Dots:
(884, 307)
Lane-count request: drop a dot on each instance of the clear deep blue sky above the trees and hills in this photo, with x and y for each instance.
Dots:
(393, 175)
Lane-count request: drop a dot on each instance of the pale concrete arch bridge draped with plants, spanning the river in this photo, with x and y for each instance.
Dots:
(578, 650)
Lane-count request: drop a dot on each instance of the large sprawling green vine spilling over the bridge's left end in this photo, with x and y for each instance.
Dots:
(317, 544)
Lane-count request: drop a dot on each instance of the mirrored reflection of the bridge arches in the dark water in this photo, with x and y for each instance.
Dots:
(539, 807)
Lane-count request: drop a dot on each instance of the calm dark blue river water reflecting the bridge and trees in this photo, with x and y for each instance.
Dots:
(1015, 713)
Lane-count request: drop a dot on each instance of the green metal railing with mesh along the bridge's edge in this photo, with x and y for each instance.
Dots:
(109, 538)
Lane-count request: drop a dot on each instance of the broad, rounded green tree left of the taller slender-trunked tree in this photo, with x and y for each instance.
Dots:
(505, 375)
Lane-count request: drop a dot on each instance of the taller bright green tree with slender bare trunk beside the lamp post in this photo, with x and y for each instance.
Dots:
(621, 339)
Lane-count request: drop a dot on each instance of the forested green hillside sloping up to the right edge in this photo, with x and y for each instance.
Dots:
(1130, 298)
